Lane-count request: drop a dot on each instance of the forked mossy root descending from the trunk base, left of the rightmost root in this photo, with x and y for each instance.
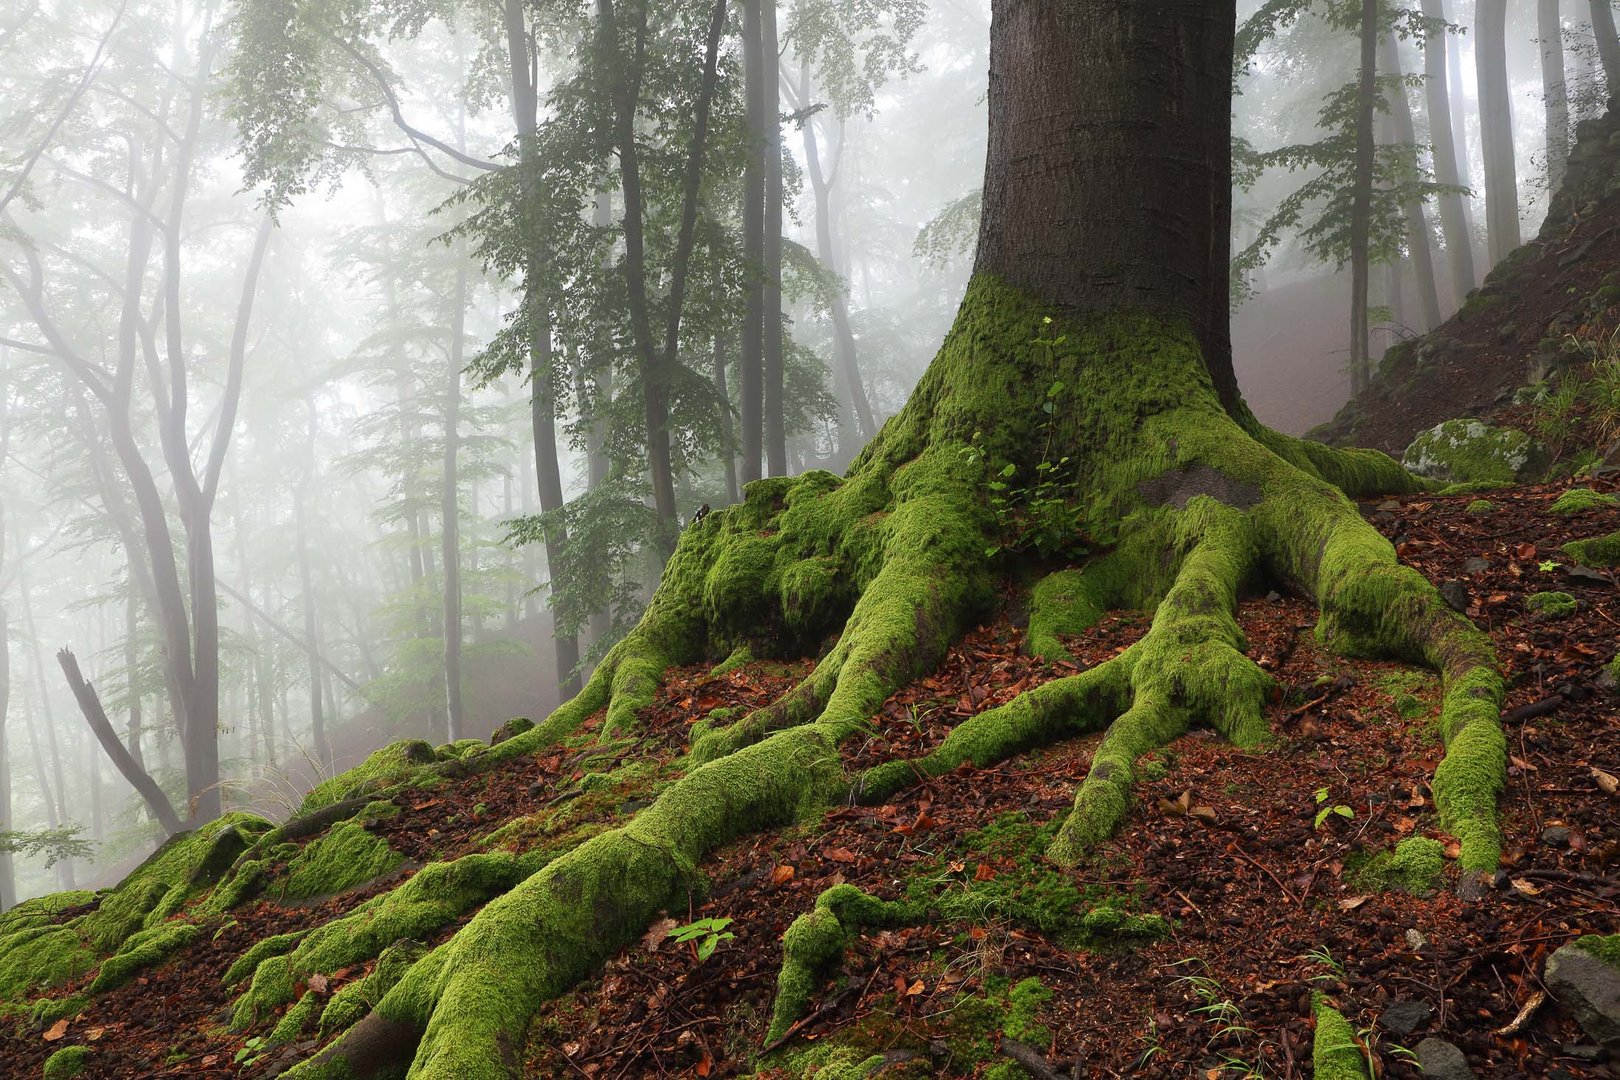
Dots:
(1190, 666)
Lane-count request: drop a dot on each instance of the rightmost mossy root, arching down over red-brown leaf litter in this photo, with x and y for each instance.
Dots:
(1375, 606)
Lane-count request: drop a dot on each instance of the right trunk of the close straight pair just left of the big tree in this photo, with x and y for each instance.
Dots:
(775, 360)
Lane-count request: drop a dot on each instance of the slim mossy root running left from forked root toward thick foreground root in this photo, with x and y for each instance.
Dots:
(1036, 718)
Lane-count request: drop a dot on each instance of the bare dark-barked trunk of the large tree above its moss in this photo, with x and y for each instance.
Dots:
(1127, 203)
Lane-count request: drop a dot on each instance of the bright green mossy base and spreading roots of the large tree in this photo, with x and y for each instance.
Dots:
(892, 564)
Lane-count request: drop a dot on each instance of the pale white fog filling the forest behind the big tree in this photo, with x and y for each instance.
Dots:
(275, 281)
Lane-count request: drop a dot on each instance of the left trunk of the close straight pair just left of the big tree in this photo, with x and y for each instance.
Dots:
(751, 376)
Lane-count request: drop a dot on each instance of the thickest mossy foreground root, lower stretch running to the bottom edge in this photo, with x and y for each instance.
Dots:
(471, 1000)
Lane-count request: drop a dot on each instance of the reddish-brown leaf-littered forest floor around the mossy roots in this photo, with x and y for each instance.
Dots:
(1261, 864)
